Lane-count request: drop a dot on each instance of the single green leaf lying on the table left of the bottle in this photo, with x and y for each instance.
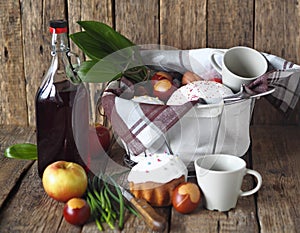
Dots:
(22, 151)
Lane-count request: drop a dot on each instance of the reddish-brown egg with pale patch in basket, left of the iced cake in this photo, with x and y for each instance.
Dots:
(163, 89)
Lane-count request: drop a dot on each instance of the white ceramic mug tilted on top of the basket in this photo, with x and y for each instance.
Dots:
(240, 65)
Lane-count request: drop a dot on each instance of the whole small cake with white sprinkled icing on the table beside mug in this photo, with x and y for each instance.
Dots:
(155, 177)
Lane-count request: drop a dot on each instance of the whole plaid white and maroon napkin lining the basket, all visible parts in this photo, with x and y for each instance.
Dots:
(139, 125)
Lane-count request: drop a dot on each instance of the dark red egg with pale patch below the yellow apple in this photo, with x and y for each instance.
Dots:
(77, 211)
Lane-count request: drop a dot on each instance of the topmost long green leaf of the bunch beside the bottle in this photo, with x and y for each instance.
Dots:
(106, 35)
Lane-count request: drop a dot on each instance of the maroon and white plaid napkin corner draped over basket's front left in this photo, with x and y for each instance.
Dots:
(139, 125)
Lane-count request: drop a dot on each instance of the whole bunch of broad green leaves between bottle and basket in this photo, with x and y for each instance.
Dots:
(111, 54)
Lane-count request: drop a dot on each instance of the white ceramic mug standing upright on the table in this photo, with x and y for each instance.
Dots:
(220, 178)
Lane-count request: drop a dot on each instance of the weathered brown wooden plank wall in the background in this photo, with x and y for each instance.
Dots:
(267, 25)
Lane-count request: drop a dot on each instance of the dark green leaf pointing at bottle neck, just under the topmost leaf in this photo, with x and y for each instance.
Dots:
(89, 46)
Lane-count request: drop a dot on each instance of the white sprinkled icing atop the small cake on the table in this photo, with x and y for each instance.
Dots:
(158, 168)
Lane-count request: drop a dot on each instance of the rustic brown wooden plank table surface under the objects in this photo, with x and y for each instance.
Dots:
(275, 153)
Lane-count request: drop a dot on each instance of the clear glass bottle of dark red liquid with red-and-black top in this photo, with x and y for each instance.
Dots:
(55, 101)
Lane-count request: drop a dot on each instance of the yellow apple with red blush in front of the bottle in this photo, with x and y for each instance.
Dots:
(64, 180)
